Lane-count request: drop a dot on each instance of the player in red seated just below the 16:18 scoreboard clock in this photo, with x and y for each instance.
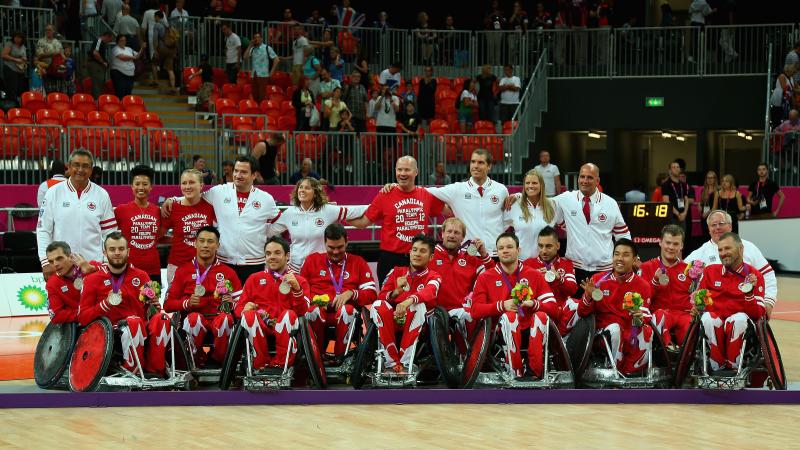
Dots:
(671, 286)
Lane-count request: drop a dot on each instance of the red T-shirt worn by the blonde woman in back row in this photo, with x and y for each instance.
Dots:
(185, 221)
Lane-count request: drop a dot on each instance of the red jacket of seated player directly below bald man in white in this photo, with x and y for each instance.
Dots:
(609, 310)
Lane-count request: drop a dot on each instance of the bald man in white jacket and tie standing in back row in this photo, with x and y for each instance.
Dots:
(593, 220)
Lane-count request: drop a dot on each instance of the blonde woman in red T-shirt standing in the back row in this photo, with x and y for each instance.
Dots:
(189, 215)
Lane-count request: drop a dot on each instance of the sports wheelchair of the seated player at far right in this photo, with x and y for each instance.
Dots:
(760, 361)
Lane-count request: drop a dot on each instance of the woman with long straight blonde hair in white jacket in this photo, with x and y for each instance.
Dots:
(529, 214)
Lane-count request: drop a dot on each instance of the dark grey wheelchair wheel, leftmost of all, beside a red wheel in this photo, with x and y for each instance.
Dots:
(53, 353)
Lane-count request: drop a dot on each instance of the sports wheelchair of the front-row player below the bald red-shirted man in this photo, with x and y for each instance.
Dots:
(434, 358)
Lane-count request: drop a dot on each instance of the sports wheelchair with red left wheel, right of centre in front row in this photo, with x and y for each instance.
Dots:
(485, 364)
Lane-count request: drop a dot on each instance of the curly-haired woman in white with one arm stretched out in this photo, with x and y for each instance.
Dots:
(307, 219)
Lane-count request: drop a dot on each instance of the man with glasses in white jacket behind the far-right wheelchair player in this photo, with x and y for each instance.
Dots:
(719, 223)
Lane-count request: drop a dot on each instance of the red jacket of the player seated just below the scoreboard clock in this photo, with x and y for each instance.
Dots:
(676, 295)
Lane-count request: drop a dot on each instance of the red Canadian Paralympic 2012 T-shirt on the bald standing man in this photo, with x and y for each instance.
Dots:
(404, 214)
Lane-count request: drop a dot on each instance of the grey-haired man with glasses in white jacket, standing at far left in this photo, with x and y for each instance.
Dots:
(78, 212)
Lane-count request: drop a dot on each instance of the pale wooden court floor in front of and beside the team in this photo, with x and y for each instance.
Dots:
(572, 425)
